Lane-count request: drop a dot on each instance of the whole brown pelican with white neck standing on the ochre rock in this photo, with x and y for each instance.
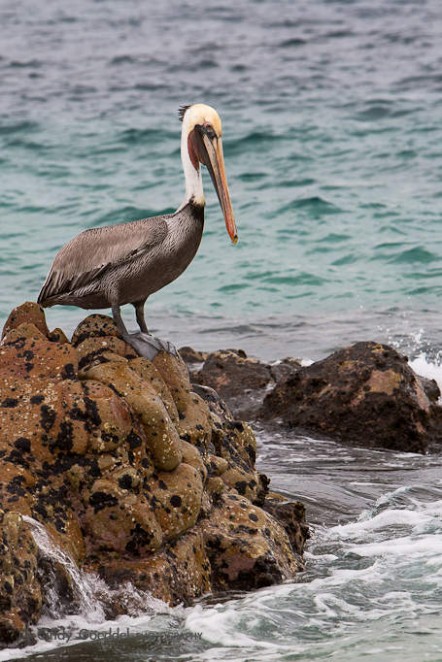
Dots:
(110, 266)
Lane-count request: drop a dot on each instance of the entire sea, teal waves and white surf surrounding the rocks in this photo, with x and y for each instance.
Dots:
(333, 144)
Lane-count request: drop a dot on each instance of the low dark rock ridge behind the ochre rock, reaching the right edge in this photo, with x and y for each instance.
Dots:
(362, 395)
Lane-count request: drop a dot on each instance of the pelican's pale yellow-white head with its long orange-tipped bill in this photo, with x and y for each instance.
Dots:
(201, 136)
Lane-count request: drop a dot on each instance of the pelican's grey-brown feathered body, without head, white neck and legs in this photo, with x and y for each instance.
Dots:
(125, 263)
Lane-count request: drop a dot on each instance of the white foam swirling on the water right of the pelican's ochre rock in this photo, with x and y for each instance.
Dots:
(393, 554)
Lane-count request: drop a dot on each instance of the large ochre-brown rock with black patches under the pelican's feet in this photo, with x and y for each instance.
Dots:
(134, 473)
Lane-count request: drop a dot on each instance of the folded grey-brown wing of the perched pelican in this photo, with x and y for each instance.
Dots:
(93, 252)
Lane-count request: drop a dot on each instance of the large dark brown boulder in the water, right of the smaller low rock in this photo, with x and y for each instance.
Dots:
(363, 395)
